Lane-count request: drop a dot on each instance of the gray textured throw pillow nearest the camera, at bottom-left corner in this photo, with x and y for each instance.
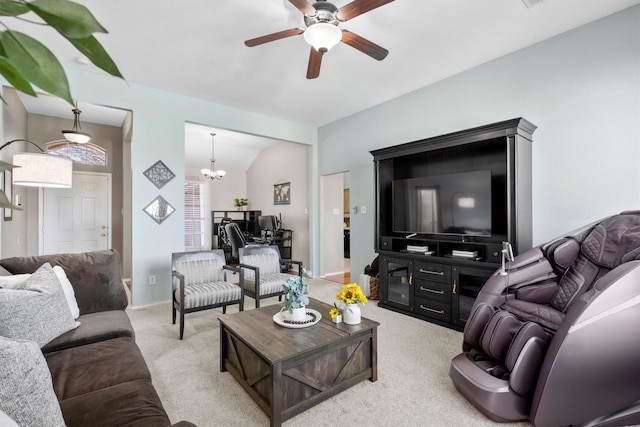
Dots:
(26, 389)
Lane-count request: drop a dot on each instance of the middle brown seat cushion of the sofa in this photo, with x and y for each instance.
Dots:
(95, 366)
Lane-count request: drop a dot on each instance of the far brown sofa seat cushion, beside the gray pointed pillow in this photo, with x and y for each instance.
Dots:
(94, 327)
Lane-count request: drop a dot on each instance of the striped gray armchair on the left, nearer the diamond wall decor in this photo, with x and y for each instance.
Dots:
(201, 280)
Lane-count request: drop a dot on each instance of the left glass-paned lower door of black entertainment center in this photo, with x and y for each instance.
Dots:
(396, 283)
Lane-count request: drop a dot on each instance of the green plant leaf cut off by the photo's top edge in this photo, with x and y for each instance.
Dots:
(70, 19)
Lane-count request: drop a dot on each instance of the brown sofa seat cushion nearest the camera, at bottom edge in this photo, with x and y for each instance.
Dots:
(133, 404)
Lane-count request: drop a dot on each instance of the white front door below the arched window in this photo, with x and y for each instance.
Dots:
(77, 219)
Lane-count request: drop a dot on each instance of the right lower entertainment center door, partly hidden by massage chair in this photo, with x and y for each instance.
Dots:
(467, 282)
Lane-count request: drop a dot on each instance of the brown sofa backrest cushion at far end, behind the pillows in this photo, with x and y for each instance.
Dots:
(96, 277)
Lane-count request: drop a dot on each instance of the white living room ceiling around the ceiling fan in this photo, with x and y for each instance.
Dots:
(195, 47)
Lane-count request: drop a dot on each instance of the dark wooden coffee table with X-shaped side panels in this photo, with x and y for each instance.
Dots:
(286, 370)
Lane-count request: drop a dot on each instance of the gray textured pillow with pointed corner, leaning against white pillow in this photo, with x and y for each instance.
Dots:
(37, 311)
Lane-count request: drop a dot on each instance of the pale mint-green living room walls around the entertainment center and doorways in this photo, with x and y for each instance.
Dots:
(581, 88)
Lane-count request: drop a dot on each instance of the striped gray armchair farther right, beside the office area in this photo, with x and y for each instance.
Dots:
(263, 274)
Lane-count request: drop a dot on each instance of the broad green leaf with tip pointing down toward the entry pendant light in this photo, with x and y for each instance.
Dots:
(36, 63)
